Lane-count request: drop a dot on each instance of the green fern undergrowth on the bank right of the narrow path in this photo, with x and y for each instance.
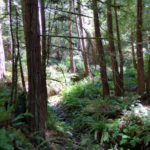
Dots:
(110, 123)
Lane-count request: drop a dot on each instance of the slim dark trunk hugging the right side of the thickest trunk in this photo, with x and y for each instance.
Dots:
(44, 56)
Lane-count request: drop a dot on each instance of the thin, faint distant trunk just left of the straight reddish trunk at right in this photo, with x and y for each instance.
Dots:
(133, 52)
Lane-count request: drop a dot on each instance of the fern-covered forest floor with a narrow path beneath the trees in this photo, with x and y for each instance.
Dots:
(80, 119)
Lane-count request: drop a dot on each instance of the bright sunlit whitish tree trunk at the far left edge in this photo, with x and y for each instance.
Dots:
(2, 56)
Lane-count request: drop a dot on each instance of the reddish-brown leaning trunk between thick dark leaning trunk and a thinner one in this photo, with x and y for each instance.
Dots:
(116, 76)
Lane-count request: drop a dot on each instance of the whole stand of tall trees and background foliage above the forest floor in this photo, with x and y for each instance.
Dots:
(104, 35)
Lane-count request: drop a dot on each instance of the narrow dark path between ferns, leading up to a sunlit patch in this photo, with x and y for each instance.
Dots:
(72, 136)
